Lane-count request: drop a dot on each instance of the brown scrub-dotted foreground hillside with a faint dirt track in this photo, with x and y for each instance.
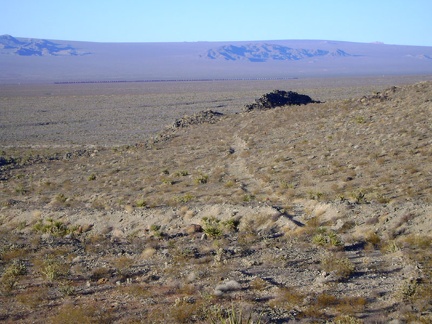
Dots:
(319, 212)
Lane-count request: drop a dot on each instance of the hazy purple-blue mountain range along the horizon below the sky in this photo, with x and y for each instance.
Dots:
(39, 60)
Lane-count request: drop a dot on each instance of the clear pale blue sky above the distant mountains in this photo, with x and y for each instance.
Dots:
(406, 22)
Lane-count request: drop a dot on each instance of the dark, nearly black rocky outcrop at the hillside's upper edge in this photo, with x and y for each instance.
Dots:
(278, 98)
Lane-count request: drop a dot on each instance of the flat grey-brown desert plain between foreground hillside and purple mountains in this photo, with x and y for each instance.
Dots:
(112, 114)
